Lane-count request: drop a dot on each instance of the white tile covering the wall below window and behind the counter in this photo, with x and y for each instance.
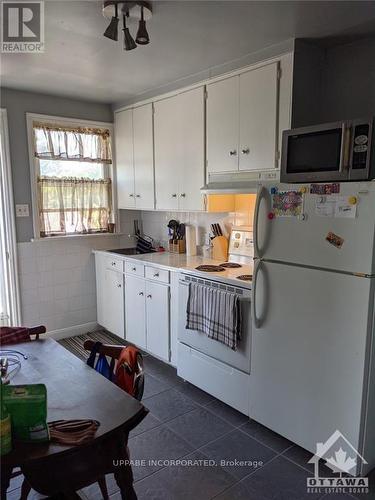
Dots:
(57, 276)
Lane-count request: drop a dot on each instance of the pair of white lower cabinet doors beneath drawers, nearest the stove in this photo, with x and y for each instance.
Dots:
(147, 315)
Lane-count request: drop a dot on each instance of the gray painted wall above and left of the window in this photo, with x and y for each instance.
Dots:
(18, 103)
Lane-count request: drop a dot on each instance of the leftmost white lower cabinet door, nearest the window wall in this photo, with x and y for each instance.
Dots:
(113, 302)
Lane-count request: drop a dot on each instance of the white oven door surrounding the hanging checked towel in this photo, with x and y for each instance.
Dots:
(240, 358)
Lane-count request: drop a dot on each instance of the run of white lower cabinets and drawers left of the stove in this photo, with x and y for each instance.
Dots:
(134, 307)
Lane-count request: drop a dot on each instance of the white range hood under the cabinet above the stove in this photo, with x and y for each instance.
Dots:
(238, 182)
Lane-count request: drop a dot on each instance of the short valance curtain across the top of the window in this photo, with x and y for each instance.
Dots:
(54, 142)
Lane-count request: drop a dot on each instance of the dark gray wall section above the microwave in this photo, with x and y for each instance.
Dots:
(333, 83)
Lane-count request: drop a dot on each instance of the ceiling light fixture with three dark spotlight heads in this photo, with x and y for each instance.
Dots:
(140, 11)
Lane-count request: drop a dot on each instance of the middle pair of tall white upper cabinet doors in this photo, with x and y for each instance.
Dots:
(179, 151)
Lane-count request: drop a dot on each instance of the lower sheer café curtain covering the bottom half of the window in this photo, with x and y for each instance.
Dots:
(71, 205)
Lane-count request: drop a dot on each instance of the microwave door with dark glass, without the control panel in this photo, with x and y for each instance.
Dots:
(316, 154)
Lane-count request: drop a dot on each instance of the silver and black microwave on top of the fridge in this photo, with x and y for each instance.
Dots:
(341, 151)
